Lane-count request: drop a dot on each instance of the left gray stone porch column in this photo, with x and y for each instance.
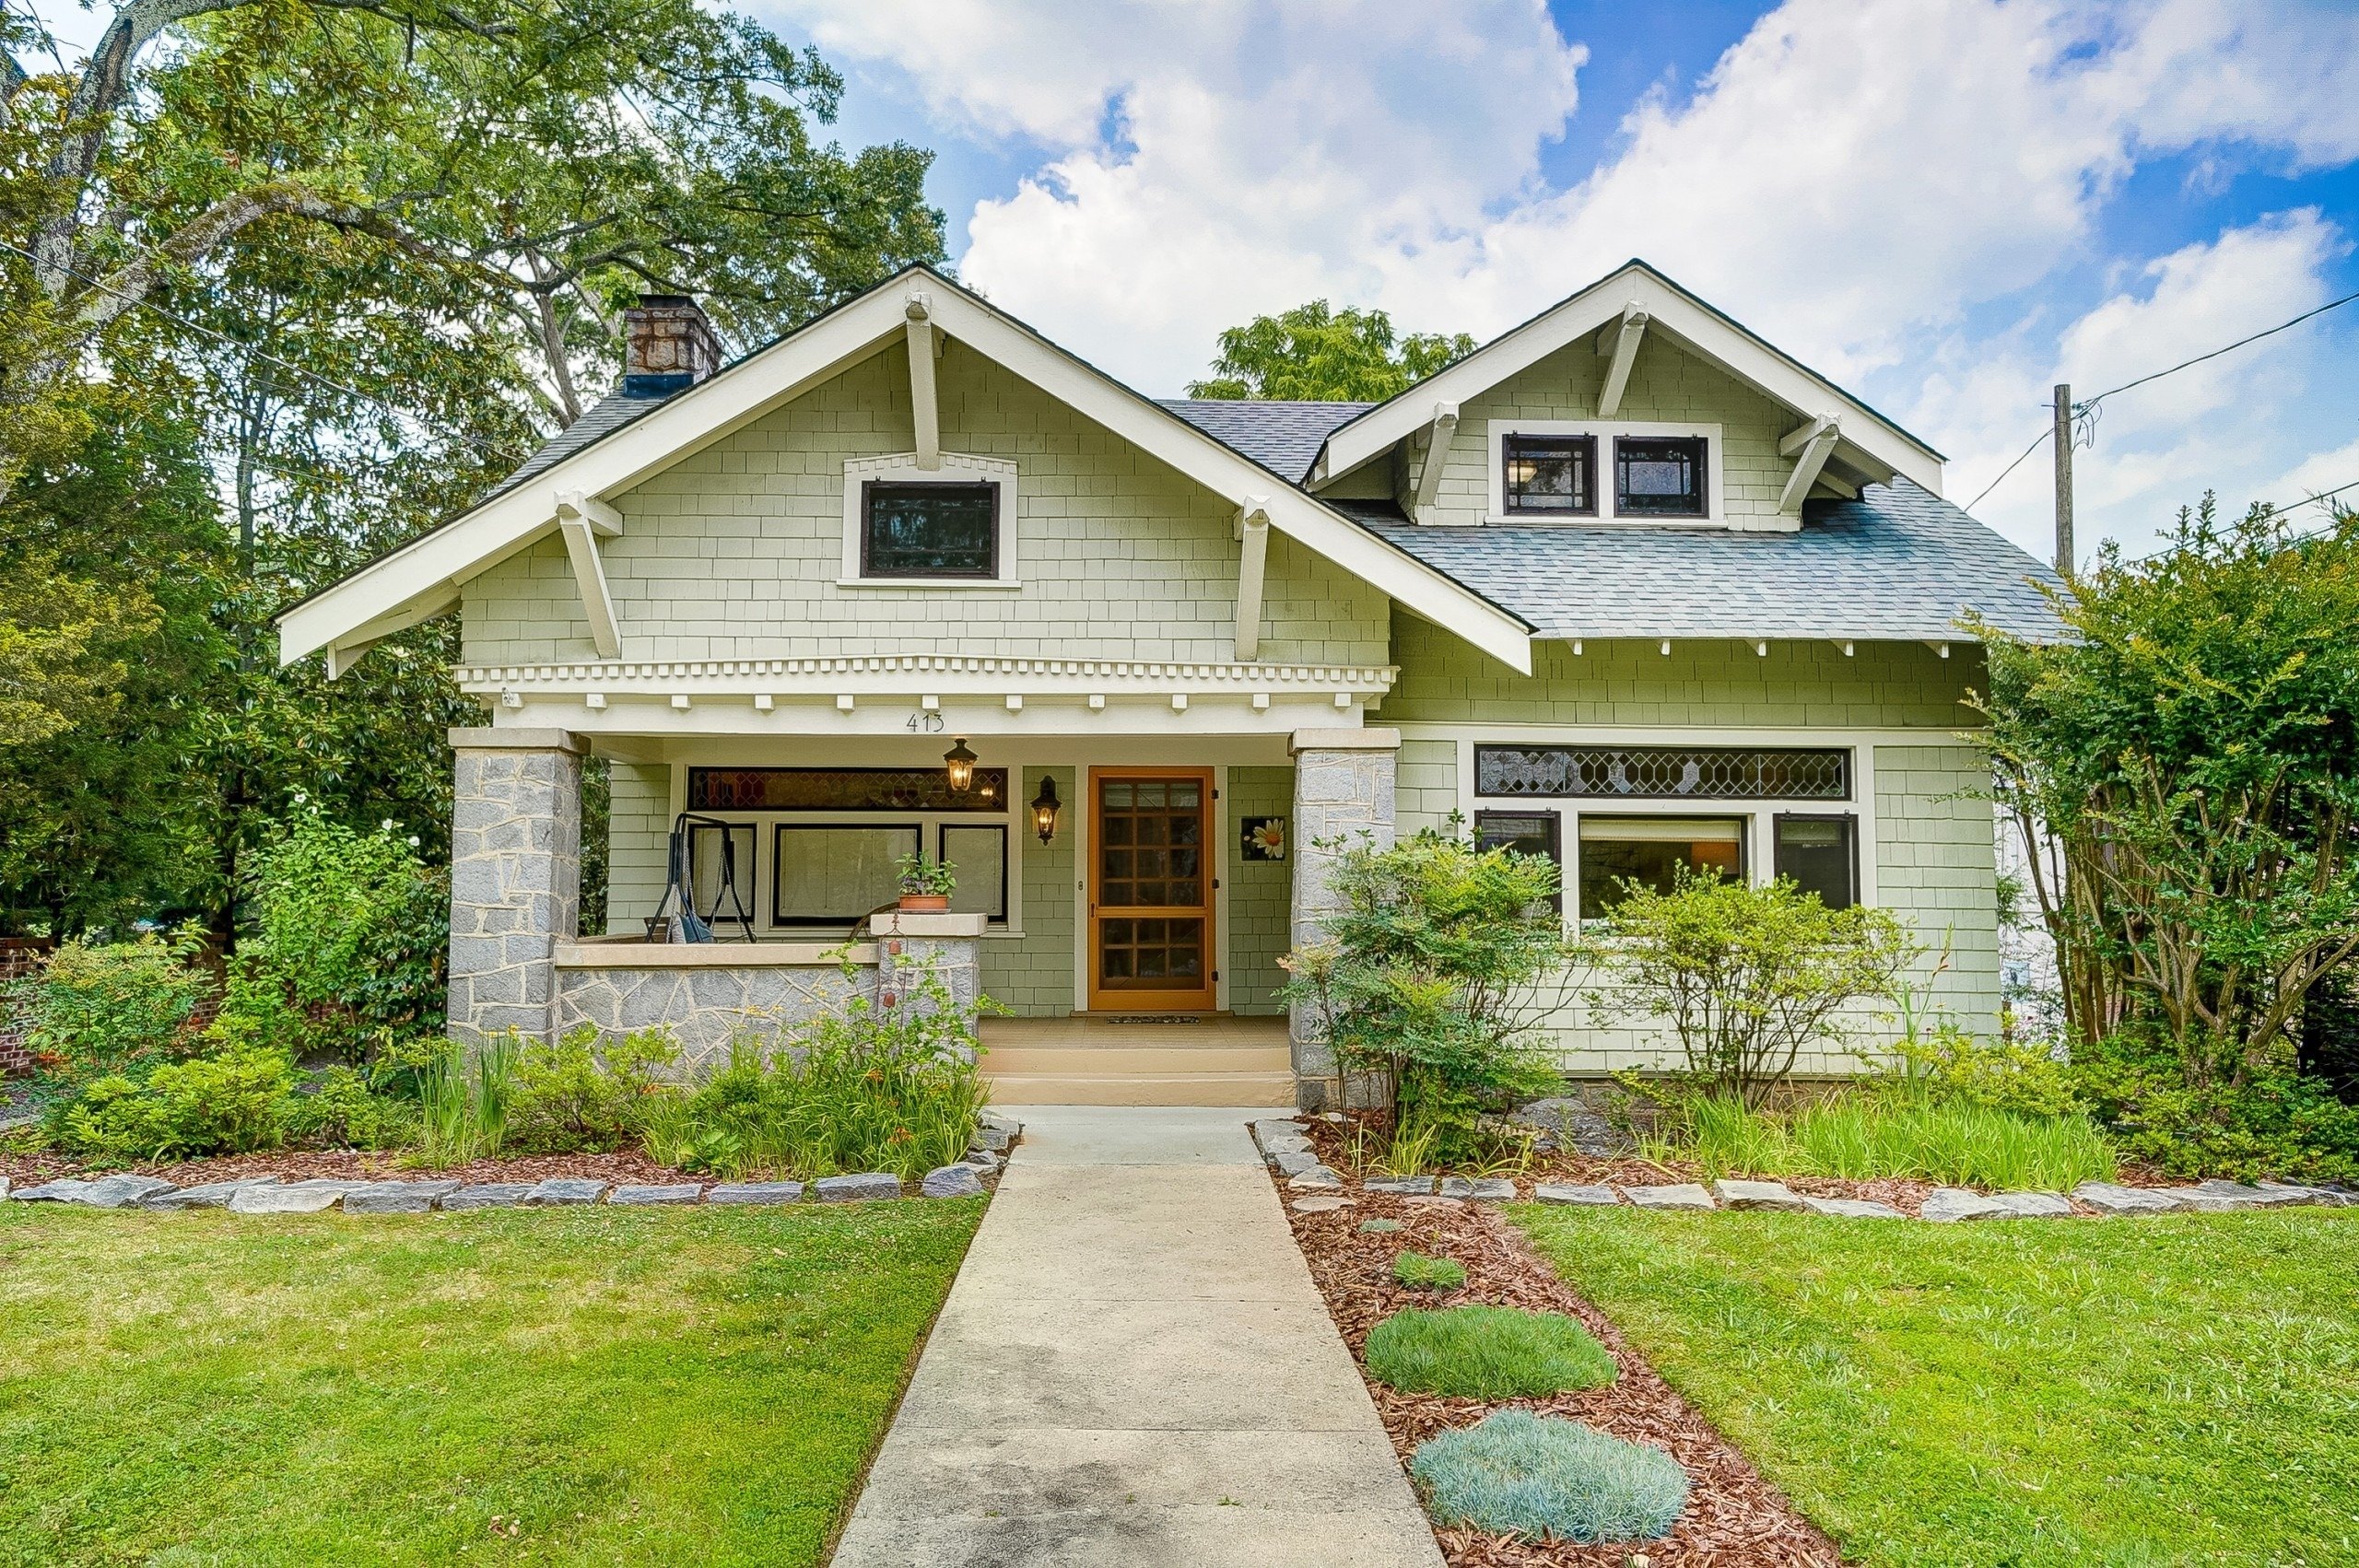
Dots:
(515, 874)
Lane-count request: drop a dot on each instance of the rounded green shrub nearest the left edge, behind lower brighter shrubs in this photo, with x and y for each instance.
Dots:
(105, 1008)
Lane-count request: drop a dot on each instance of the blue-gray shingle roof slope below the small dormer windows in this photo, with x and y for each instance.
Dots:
(1893, 565)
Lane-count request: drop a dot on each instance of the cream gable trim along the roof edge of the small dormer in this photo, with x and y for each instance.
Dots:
(1872, 444)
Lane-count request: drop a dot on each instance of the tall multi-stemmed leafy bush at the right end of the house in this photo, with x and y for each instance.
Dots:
(2186, 772)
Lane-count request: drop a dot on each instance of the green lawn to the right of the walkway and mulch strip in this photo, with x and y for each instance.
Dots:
(2006, 1395)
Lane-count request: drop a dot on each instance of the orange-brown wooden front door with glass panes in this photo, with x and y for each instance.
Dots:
(1152, 890)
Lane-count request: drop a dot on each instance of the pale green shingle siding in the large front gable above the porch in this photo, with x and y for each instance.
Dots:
(737, 551)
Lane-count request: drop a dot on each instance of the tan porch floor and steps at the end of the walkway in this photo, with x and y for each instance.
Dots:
(1098, 1060)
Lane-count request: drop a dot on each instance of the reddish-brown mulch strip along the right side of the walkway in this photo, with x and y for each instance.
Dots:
(1735, 1517)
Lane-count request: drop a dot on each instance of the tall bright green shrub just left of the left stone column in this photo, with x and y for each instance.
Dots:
(350, 928)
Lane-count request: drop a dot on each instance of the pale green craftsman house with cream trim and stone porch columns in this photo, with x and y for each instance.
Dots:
(1627, 586)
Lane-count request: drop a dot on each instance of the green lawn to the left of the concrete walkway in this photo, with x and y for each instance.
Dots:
(501, 1388)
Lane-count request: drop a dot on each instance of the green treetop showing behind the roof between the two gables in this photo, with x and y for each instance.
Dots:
(1320, 355)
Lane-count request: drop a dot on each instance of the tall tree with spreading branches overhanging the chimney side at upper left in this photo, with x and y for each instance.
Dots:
(537, 159)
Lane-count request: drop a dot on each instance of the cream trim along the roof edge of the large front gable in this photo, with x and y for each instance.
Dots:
(423, 577)
